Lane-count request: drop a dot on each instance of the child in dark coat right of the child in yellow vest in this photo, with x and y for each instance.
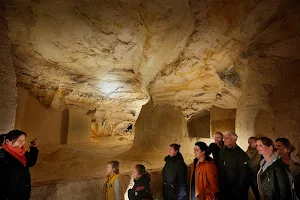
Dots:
(141, 189)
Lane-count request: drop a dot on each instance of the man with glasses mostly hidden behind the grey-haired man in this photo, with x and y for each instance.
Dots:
(216, 147)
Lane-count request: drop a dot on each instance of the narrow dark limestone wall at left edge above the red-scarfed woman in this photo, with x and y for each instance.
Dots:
(8, 91)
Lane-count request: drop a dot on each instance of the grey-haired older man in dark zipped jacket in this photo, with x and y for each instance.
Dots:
(234, 170)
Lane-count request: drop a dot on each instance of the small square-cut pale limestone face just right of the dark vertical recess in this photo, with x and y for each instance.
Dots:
(79, 129)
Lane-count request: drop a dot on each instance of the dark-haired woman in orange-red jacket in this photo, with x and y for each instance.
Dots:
(204, 175)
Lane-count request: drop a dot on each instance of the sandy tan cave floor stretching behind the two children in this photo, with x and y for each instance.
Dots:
(87, 161)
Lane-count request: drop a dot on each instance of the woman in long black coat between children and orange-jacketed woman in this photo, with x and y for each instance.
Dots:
(174, 175)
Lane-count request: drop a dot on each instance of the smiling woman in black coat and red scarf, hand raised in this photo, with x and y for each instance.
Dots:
(14, 166)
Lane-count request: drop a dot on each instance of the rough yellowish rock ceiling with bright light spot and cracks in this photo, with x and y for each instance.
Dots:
(112, 56)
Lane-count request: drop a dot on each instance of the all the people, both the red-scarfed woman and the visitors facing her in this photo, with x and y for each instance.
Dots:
(271, 169)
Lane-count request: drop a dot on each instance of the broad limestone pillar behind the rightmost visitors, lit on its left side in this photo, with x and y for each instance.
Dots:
(270, 100)
